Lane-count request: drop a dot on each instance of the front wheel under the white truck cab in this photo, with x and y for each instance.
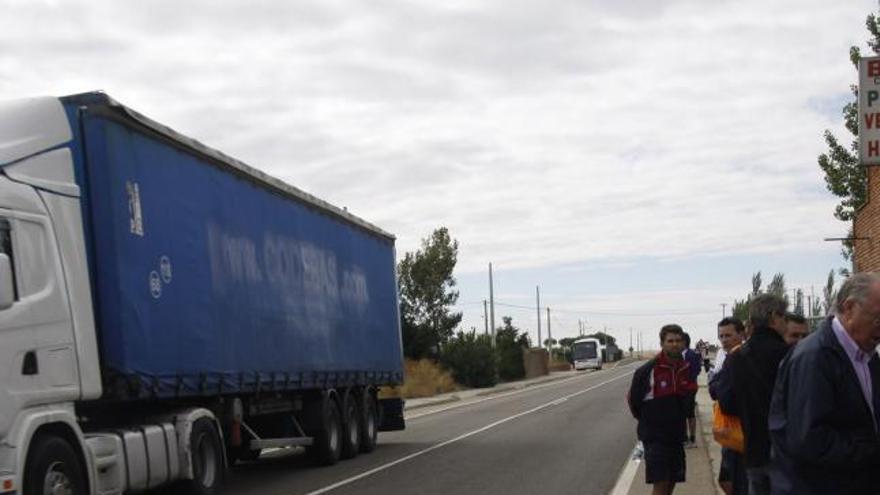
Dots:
(53, 467)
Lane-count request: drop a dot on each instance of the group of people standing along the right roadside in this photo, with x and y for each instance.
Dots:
(808, 405)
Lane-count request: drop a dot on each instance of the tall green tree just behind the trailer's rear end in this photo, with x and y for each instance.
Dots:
(427, 291)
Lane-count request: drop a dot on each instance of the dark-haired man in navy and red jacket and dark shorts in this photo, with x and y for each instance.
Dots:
(656, 399)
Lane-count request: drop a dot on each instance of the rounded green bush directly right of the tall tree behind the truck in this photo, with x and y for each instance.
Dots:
(470, 358)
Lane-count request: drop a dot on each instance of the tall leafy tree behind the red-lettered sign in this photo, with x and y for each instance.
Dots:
(843, 175)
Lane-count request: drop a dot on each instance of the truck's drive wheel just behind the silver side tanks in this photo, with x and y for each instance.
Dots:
(207, 459)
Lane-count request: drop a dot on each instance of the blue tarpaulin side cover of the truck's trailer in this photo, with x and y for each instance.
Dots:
(208, 280)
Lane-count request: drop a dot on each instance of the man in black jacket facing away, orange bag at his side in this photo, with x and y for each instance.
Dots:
(753, 373)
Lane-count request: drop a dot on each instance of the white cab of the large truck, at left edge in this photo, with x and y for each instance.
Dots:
(48, 350)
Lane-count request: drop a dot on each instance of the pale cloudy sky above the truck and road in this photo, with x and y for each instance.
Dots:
(637, 160)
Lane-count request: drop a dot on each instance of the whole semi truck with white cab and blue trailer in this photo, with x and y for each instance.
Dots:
(166, 310)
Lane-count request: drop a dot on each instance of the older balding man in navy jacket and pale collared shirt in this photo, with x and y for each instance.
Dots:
(826, 405)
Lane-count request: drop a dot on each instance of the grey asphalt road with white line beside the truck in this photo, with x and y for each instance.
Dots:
(567, 437)
